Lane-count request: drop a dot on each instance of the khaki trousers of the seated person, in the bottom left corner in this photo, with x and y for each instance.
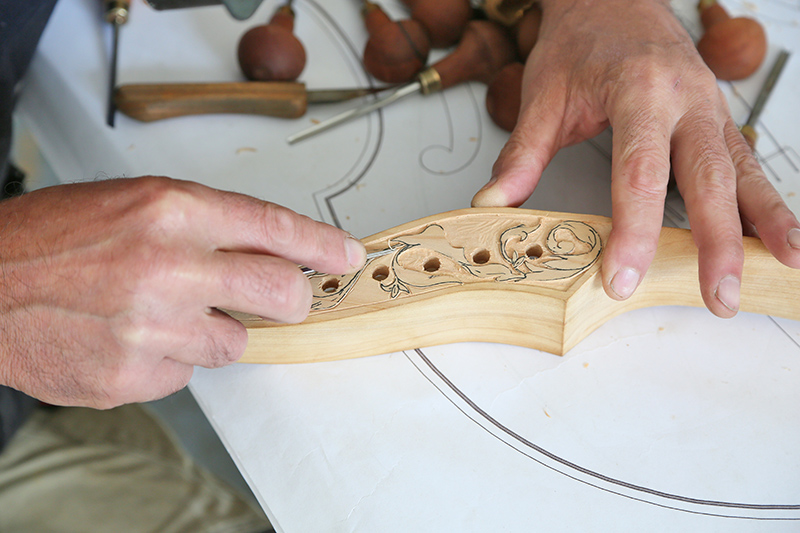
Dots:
(83, 470)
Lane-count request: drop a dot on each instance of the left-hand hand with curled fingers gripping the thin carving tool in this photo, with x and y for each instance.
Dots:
(109, 291)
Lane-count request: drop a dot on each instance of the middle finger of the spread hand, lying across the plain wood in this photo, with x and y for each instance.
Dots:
(706, 179)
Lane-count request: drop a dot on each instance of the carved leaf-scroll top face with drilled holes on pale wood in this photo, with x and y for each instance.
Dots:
(430, 259)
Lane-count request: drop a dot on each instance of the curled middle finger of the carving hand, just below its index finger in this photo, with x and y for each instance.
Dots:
(258, 284)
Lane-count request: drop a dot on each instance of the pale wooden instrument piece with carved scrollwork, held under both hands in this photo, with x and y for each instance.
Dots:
(512, 276)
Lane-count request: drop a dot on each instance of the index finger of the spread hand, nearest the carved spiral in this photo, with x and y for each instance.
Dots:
(639, 176)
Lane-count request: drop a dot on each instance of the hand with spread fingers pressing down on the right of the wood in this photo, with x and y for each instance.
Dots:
(631, 65)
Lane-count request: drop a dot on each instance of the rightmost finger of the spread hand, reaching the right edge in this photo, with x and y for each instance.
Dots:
(761, 205)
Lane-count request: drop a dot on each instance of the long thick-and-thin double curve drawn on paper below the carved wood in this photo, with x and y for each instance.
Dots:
(721, 509)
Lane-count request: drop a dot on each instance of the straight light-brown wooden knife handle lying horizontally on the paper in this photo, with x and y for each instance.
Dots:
(149, 102)
